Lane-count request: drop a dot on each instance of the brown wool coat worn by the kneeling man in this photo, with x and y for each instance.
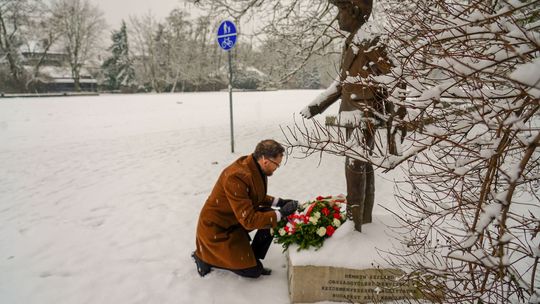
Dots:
(232, 209)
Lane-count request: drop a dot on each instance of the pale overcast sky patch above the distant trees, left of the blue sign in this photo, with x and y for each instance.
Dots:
(116, 10)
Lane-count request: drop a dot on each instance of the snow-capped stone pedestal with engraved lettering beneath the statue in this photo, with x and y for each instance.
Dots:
(351, 267)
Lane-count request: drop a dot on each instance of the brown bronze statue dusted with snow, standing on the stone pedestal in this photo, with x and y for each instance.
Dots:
(359, 60)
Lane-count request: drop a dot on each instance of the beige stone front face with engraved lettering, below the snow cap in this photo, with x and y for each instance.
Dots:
(308, 284)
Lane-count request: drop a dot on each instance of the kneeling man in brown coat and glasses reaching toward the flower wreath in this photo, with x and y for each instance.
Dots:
(237, 205)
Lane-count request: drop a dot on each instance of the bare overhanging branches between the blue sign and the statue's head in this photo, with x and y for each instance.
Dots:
(296, 30)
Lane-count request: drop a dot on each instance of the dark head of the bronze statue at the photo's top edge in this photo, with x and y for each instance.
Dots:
(352, 13)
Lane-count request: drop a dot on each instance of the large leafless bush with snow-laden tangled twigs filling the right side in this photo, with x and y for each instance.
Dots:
(471, 217)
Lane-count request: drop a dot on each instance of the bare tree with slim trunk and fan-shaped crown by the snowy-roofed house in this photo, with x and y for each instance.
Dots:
(81, 25)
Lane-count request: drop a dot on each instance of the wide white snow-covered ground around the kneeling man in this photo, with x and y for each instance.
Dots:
(99, 196)
